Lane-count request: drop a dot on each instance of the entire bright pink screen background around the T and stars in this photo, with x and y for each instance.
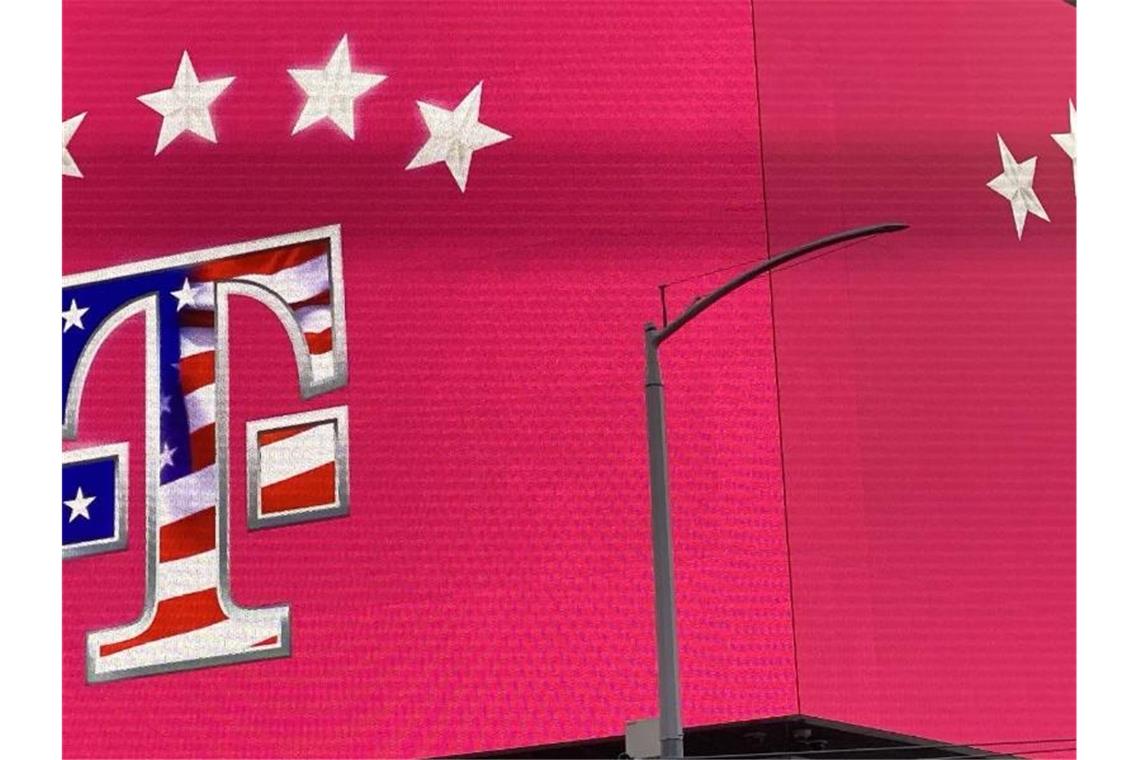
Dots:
(493, 584)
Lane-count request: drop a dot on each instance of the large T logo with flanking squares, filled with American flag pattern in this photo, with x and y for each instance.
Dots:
(189, 618)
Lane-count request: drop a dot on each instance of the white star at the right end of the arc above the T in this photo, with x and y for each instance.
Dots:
(455, 135)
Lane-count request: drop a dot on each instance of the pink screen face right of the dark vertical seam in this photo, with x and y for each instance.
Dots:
(927, 380)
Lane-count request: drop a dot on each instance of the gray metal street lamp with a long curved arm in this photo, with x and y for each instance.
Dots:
(665, 596)
